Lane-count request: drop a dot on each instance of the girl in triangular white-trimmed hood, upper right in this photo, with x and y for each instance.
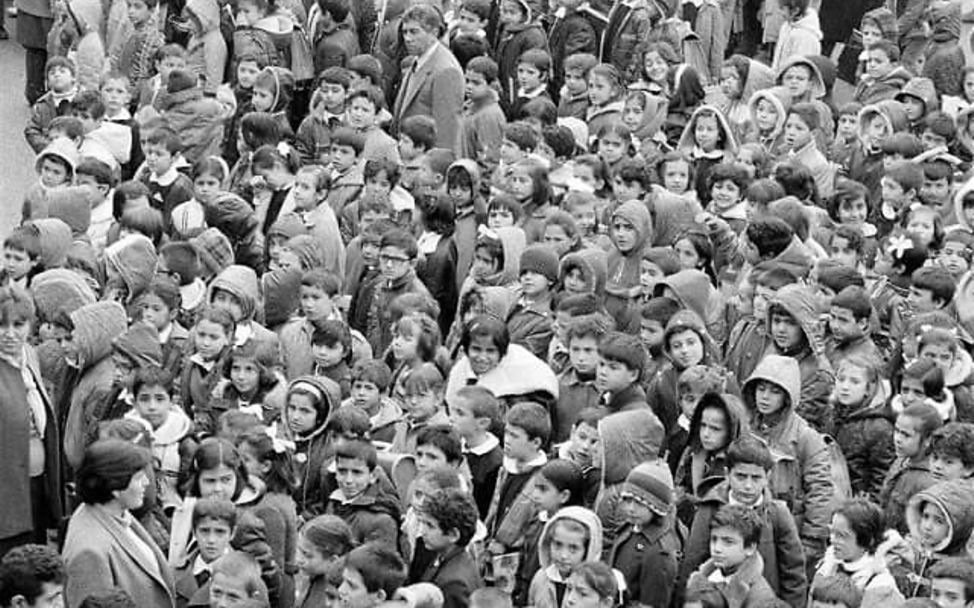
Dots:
(708, 141)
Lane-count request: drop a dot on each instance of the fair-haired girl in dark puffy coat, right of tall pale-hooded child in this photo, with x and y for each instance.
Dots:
(863, 429)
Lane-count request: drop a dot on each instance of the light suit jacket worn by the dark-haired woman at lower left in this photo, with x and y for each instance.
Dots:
(101, 556)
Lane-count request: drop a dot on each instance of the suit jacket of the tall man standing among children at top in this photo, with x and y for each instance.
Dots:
(435, 90)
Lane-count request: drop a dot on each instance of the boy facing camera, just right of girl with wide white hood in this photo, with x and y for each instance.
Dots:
(576, 384)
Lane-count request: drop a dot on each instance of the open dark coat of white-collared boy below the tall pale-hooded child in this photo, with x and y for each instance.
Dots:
(779, 546)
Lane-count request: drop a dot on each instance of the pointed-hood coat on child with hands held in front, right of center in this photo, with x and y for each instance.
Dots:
(622, 285)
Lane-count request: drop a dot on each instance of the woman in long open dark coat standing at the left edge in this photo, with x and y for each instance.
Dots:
(30, 451)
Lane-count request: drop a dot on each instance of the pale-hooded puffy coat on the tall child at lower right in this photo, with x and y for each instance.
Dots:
(801, 475)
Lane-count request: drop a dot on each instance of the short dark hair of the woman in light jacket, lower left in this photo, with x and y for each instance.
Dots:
(109, 465)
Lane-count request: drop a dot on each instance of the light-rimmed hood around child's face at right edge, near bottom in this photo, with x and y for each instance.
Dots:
(956, 500)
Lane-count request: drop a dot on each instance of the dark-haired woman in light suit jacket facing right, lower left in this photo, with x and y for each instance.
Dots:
(106, 548)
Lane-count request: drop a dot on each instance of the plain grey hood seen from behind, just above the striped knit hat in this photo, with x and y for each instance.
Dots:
(628, 438)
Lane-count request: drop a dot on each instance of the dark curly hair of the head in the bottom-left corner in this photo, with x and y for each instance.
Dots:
(25, 569)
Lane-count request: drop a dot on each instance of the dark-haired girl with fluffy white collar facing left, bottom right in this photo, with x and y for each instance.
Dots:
(854, 538)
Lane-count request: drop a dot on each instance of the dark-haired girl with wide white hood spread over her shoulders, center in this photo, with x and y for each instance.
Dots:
(510, 371)
